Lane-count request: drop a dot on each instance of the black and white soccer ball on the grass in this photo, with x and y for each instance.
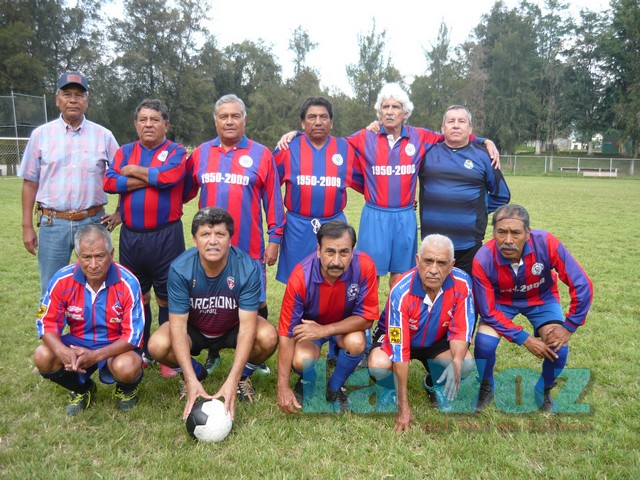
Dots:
(208, 421)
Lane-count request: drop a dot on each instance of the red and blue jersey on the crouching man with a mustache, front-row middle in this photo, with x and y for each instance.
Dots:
(309, 296)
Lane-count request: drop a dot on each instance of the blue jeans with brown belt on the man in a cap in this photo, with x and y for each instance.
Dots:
(55, 244)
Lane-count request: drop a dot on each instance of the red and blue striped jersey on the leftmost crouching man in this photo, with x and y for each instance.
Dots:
(115, 313)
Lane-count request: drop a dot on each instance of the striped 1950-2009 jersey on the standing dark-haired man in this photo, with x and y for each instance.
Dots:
(316, 180)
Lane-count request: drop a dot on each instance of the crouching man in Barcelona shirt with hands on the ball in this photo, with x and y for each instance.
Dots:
(214, 296)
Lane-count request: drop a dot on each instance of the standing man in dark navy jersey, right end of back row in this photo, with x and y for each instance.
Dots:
(459, 188)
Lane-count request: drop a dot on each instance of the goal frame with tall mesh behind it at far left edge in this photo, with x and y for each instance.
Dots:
(19, 116)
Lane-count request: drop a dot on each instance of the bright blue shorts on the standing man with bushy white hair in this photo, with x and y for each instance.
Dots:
(390, 237)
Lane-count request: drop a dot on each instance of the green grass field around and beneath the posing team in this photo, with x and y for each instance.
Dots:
(597, 219)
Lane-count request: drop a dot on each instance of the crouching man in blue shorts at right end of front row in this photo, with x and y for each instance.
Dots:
(517, 273)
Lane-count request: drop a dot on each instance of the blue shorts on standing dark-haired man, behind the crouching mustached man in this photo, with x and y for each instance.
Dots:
(299, 240)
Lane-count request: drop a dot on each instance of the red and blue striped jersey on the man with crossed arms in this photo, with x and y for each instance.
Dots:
(161, 202)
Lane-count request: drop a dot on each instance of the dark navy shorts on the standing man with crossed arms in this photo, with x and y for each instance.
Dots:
(149, 253)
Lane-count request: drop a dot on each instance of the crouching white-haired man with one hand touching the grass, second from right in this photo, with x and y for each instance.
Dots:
(429, 317)
